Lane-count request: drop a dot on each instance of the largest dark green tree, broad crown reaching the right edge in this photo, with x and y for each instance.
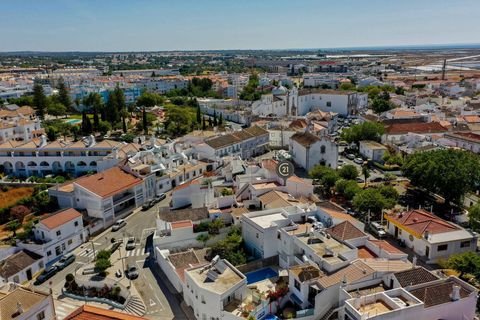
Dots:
(449, 173)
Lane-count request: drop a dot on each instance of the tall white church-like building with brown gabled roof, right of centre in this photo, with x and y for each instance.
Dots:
(309, 150)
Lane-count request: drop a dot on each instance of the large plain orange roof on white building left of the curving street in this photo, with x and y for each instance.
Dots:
(108, 182)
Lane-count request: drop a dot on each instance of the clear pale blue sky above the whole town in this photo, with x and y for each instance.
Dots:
(151, 25)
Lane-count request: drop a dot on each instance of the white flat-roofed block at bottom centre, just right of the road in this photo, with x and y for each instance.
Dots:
(210, 289)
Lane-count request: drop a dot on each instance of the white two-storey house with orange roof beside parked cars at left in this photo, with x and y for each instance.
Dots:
(54, 236)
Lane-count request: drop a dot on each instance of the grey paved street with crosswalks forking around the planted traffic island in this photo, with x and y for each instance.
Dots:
(160, 302)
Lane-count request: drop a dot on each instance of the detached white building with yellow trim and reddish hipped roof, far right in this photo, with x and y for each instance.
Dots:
(431, 237)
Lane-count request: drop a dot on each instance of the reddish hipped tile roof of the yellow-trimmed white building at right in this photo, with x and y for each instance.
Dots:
(419, 221)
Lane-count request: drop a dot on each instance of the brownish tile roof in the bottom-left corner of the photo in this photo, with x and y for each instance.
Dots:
(28, 299)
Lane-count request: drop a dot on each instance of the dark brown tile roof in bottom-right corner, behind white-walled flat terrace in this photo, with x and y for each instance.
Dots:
(438, 293)
